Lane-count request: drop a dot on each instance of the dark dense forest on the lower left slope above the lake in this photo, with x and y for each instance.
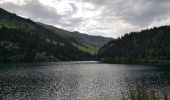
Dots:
(18, 45)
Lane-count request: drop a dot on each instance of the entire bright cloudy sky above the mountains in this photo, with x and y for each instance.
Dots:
(108, 18)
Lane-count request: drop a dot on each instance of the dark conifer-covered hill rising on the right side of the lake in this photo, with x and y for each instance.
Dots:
(147, 46)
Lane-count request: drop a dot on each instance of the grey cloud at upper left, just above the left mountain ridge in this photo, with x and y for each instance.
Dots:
(46, 14)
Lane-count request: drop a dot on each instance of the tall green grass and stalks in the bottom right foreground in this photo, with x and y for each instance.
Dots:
(140, 92)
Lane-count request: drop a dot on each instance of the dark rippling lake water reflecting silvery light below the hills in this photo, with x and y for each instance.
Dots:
(77, 80)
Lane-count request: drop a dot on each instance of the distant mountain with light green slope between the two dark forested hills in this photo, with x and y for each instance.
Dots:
(84, 42)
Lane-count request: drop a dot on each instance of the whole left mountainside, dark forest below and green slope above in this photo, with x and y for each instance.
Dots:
(25, 40)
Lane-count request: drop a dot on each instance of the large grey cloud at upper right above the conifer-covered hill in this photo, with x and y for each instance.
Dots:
(136, 12)
